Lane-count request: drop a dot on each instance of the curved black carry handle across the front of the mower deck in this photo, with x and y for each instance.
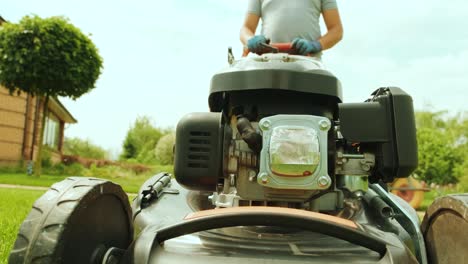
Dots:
(267, 216)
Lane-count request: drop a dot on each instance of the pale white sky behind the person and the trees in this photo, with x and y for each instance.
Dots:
(159, 56)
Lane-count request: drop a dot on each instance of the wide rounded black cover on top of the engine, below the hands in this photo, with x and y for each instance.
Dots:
(262, 84)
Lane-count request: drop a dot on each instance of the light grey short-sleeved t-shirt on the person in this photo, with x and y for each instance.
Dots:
(285, 20)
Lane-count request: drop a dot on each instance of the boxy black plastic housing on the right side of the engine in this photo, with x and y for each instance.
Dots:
(386, 124)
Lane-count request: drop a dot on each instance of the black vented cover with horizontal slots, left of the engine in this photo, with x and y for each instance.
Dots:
(198, 151)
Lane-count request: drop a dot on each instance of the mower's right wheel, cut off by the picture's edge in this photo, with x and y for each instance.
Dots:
(445, 229)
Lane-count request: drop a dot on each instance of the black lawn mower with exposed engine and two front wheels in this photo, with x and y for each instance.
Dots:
(280, 170)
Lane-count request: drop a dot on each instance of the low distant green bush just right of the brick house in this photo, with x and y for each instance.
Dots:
(83, 148)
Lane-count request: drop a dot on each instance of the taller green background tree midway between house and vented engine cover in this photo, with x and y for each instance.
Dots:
(141, 140)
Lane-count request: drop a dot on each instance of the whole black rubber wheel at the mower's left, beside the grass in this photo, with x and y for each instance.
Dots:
(75, 220)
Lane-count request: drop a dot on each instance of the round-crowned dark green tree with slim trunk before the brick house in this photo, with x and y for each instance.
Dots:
(47, 57)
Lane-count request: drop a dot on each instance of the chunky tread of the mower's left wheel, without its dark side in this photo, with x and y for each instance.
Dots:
(34, 244)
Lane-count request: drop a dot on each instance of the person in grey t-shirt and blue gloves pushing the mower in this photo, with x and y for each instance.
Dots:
(292, 21)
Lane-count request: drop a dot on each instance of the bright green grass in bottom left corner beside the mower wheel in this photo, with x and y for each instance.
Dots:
(14, 206)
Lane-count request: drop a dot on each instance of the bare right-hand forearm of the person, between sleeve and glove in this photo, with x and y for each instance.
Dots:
(334, 28)
